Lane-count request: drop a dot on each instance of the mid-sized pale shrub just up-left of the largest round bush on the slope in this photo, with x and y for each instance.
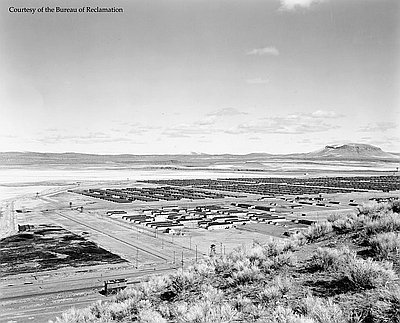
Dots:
(331, 259)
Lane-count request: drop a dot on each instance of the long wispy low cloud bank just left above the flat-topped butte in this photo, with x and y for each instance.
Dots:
(301, 123)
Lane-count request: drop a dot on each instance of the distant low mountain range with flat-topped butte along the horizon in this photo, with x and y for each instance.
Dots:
(351, 151)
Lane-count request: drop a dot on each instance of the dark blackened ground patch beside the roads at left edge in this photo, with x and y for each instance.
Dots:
(49, 247)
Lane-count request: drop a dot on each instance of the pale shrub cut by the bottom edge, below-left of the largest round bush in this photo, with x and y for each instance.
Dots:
(322, 311)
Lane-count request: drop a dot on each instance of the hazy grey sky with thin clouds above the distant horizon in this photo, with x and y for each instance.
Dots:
(200, 76)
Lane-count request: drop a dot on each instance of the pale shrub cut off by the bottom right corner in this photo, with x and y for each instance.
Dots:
(387, 308)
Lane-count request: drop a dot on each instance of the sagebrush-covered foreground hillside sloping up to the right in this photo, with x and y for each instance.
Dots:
(344, 270)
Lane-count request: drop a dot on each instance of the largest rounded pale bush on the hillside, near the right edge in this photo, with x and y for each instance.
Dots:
(365, 274)
